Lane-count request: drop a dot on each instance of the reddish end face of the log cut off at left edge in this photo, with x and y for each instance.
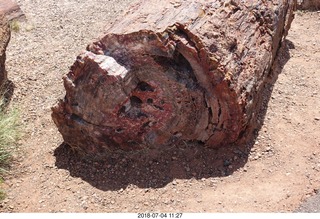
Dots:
(4, 40)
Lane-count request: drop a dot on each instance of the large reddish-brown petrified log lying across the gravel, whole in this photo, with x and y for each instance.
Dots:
(189, 69)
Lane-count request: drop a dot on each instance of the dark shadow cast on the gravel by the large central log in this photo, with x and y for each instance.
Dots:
(182, 160)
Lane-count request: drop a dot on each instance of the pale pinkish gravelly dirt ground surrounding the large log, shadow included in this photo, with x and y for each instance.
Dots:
(275, 173)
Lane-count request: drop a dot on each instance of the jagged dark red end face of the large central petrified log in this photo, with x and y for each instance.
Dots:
(144, 89)
